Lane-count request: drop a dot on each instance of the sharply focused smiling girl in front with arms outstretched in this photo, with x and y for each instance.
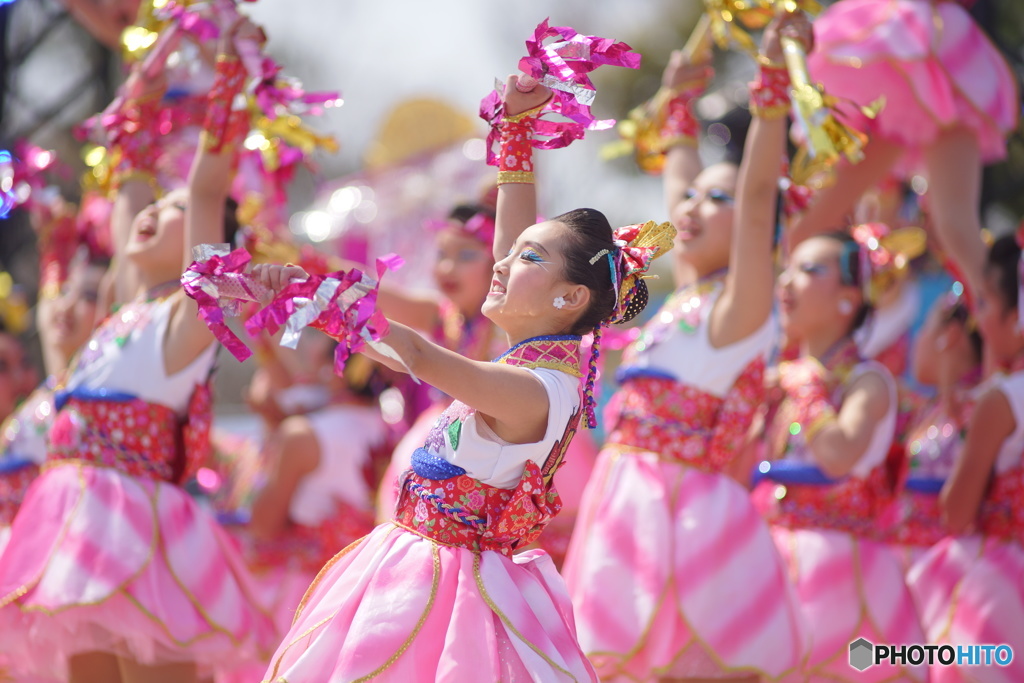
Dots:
(460, 608)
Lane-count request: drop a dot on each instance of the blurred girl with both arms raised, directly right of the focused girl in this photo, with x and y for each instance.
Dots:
(672, 572)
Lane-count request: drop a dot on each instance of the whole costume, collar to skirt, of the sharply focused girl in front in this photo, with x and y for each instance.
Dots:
(460, 606)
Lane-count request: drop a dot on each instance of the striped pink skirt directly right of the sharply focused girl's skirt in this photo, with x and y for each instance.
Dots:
(673, 573)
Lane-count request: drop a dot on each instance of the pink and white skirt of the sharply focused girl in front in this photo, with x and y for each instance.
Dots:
(396, 607)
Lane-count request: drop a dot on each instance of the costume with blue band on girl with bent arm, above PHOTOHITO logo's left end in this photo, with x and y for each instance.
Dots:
(849, 584)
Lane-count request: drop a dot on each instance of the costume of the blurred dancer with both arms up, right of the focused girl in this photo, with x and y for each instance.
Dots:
(671, 570)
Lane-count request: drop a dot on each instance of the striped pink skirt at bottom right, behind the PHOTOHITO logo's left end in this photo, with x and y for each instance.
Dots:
(850, 588)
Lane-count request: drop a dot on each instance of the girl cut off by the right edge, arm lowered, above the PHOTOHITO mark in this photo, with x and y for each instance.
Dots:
(969, 587)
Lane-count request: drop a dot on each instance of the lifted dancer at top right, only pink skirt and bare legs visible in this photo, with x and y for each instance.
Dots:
(951, 101)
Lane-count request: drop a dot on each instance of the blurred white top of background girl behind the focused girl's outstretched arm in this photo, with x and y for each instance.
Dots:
(347, 436)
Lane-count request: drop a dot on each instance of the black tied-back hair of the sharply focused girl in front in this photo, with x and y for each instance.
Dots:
(589, 235)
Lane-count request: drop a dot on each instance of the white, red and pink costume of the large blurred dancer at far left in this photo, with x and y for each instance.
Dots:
(107, 553)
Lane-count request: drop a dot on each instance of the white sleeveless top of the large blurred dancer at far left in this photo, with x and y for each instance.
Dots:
(137, 365)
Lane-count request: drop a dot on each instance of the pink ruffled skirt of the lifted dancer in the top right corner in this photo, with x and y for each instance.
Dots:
(935, 68)
